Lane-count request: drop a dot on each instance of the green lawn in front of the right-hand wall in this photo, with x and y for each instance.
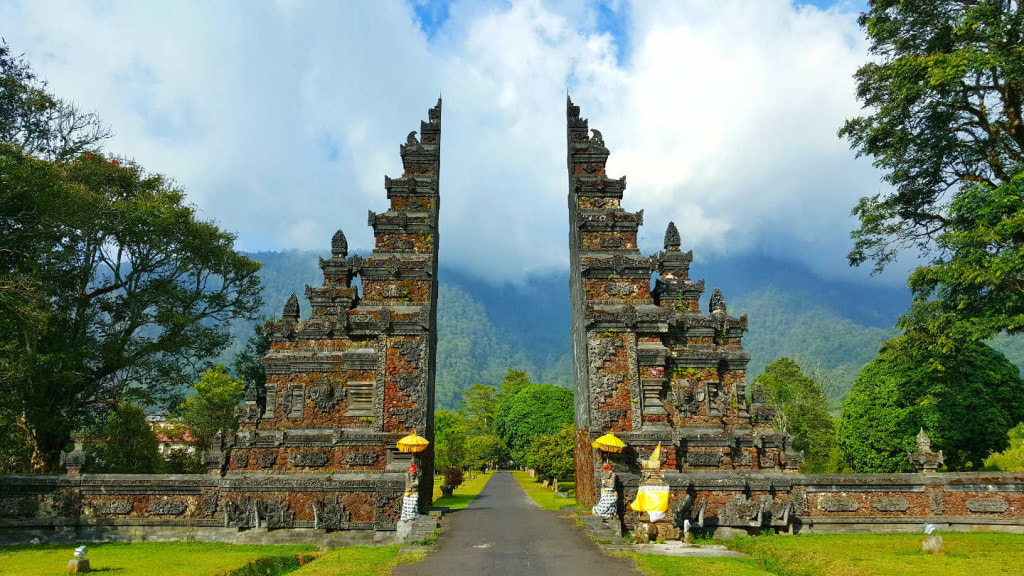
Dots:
(974, 554)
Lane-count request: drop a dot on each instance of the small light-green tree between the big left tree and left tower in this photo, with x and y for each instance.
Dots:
(211, 409)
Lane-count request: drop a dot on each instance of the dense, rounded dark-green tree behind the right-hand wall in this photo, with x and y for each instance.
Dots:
(966, 403)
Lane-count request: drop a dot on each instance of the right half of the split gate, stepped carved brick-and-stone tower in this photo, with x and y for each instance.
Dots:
(648, 364)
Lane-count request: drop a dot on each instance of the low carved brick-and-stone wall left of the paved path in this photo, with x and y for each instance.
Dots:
(253, 509)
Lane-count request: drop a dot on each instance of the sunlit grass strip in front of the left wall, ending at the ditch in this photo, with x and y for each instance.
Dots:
(152, 559)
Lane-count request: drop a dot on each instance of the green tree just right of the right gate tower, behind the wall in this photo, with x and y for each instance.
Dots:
(803, 408)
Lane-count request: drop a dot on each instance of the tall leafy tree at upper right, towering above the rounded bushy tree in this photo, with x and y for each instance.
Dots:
(946, 95)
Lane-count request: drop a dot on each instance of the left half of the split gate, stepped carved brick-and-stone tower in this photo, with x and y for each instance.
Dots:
(347, 384)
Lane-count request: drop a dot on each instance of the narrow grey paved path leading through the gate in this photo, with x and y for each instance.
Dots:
(503, 531)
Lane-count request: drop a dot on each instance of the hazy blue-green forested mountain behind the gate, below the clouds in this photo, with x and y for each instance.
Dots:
(485, 330)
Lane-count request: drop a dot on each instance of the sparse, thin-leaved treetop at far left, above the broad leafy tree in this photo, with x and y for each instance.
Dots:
(36, 122)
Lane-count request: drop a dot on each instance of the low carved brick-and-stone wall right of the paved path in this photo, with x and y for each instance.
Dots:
(729, 504)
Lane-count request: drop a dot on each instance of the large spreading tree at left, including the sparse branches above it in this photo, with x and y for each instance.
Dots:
(111, 286)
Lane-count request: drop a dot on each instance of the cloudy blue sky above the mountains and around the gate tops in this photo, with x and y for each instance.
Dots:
(281, 118)
